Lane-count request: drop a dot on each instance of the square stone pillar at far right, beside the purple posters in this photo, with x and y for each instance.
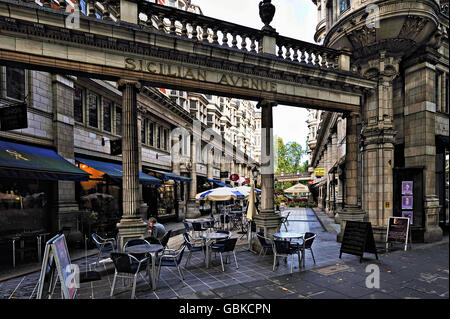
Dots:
(420, 147)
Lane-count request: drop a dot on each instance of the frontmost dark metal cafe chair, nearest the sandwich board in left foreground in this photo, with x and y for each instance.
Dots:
(126, 267)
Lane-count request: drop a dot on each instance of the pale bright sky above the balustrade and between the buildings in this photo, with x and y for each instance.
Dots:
(293, 18)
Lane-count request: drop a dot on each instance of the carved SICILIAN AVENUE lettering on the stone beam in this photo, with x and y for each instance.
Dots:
(198, 75)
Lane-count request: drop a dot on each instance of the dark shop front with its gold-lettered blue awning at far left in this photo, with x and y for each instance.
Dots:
(28, 196)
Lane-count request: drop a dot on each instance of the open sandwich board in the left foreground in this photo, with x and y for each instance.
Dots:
(57, 262)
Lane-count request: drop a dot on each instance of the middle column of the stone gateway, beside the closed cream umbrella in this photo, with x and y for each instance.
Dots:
(267, 221)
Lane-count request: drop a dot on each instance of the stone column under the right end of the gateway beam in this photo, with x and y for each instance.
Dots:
(351, 209)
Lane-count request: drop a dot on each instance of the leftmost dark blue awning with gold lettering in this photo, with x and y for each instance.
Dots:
(23, 161)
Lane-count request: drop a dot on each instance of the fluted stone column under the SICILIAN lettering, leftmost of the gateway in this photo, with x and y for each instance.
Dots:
(131, 225)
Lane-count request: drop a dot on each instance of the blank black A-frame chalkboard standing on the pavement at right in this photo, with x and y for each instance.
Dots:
(358, 239)
